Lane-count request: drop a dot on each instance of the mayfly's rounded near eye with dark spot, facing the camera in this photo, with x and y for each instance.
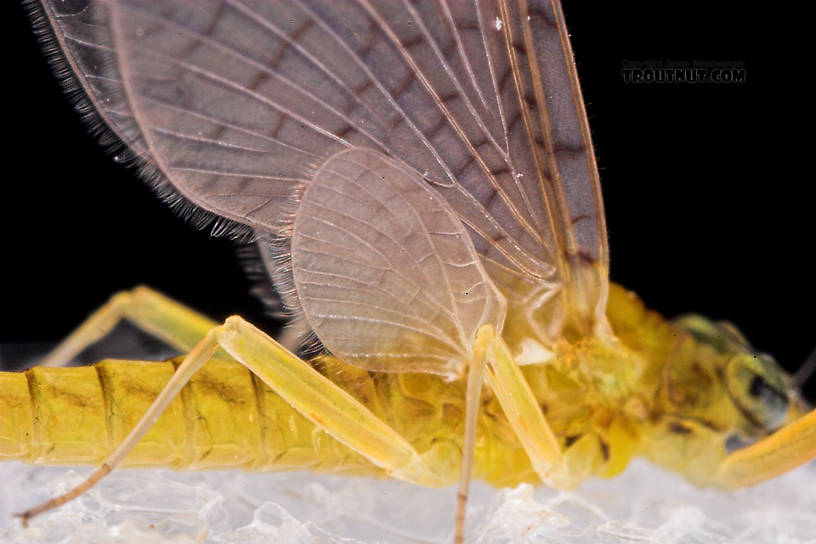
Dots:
(756, 387)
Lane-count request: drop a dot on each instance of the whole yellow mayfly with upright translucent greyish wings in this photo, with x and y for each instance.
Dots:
(422, 189)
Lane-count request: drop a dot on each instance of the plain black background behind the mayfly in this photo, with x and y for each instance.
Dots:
(706, 187)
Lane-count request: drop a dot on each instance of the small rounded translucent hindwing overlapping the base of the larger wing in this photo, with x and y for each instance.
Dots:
(386, 274)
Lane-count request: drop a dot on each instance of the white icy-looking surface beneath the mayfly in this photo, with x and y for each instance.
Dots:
(645, 504)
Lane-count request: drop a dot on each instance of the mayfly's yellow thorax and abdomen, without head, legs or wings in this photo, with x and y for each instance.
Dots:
(656, 392)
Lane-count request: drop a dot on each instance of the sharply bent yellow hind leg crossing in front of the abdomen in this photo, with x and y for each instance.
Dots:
(309, 392)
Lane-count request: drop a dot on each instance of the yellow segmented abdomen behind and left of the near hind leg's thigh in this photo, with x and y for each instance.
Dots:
(223, 418)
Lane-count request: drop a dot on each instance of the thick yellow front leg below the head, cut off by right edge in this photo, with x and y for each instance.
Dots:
(791, 446)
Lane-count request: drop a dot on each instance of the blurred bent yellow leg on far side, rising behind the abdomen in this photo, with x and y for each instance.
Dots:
(149, 310)
